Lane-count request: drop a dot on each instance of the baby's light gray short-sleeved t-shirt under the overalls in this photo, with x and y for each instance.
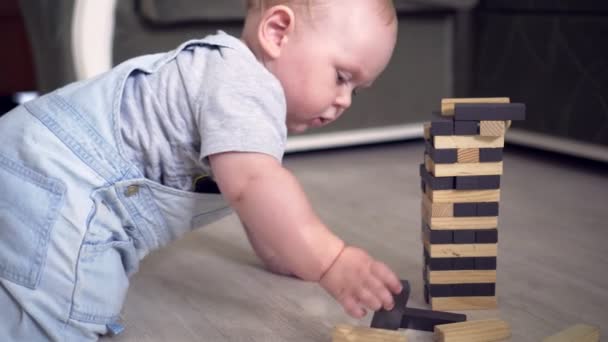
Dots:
(214, 97)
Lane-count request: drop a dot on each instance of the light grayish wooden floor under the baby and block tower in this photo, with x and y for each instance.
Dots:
(552, 263)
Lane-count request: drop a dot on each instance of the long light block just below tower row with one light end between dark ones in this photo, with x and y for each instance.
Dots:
(468, 169)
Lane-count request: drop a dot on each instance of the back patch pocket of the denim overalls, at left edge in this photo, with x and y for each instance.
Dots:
(29, 206)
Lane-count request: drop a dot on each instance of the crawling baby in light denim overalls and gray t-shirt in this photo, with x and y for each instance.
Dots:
(97, 174)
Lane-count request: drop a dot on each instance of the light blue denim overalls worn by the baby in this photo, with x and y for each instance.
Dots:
(75, 216)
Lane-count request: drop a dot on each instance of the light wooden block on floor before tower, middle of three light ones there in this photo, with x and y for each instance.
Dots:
(473, 331)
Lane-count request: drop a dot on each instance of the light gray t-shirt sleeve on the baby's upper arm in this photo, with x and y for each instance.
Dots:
(241, 107)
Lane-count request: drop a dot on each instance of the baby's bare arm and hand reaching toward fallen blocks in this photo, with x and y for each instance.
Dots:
(272, 204)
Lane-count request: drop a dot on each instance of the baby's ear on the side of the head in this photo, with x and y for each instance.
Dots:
(276, 26)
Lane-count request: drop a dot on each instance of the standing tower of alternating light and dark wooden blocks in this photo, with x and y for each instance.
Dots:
(461, 192)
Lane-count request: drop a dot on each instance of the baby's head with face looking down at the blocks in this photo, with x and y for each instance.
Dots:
(322, 51)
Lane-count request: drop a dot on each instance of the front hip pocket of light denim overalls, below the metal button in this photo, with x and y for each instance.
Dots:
(107, 258)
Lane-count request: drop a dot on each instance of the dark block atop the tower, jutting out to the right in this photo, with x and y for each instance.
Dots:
(489, 111)
